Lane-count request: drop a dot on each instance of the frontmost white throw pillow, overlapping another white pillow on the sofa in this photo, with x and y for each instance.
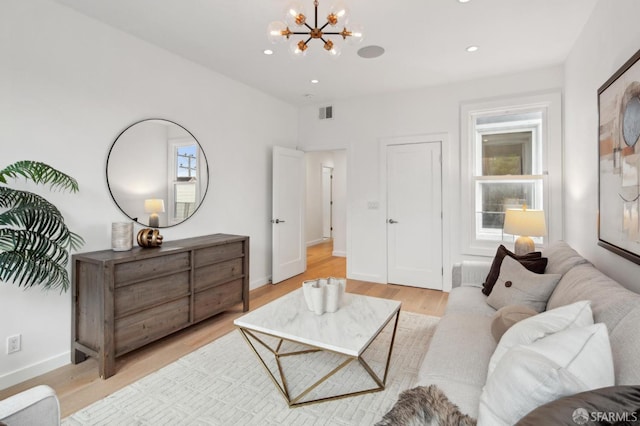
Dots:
(565, 363)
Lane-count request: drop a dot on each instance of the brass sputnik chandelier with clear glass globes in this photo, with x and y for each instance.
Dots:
(279, 31)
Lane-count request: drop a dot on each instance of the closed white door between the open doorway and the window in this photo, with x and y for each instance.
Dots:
(414, 215)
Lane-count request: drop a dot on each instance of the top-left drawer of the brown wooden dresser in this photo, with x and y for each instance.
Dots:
(146, 268)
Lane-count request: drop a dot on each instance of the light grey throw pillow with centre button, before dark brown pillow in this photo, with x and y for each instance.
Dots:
(518, 286)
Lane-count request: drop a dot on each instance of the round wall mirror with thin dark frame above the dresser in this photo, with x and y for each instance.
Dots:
(157, 173)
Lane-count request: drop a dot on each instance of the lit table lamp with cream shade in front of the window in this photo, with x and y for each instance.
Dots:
(525, 223)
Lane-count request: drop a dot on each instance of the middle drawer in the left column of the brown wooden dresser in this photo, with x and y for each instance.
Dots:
(144, 294)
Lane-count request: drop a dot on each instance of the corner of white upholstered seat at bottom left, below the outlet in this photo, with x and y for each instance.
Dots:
(37, 406)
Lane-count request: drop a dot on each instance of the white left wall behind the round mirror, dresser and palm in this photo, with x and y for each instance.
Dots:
(69, 86)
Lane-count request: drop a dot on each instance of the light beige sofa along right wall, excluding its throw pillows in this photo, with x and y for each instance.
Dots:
(458, 356)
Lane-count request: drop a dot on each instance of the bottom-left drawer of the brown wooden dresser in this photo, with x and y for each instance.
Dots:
(136, 330)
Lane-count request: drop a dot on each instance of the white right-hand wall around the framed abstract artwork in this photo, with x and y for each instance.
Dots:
(608, 40)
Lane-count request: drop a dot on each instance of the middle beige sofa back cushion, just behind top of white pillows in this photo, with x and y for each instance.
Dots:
(610, 302)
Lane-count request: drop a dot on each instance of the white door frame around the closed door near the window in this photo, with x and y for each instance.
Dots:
(447, 179)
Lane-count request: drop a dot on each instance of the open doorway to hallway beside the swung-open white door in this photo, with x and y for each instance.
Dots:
(326, 191)
